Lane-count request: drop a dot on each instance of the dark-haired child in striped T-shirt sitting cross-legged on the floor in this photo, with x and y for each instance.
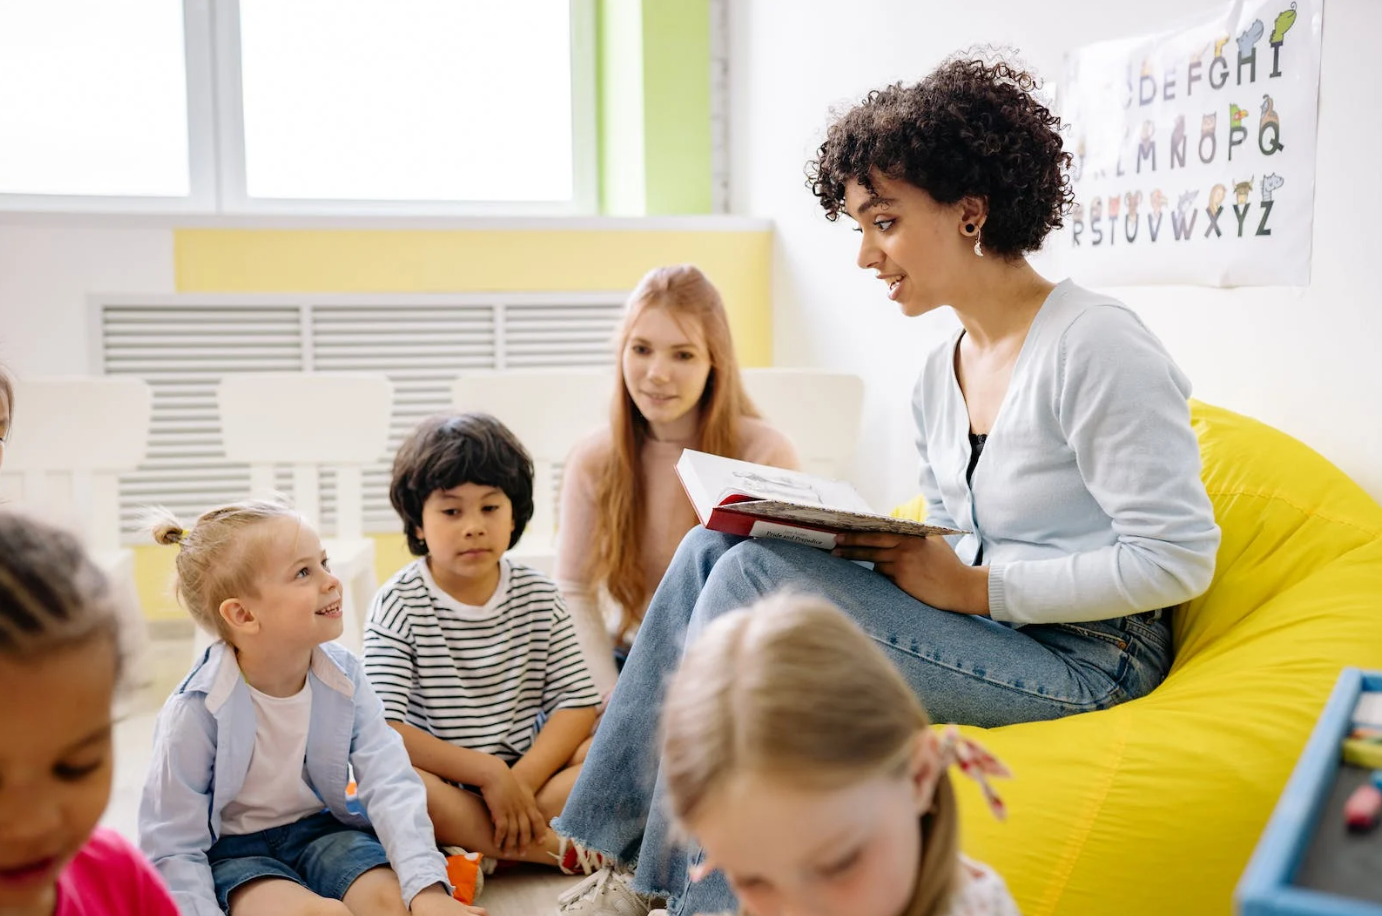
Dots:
(476, 657)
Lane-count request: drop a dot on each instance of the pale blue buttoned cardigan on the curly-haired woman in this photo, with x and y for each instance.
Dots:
(1088, 498)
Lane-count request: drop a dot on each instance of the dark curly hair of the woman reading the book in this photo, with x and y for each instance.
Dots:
(969, 131)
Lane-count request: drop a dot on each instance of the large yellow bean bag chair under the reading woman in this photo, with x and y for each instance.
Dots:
(1155, 808)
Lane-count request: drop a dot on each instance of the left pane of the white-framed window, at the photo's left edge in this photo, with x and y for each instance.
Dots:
(95, 104)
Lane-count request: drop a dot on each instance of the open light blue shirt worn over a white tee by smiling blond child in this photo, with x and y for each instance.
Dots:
(202, 748)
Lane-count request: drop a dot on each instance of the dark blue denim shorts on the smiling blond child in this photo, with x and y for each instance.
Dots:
(320, 853)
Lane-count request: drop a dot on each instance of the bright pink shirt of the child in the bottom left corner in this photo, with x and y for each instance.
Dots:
(110, 878)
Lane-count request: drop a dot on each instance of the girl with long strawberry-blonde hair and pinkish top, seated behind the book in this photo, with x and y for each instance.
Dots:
(623, 508)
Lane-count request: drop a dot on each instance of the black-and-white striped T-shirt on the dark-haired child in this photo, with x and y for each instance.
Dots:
(486, 679)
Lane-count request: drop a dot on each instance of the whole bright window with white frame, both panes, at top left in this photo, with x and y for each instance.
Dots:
(331, 107)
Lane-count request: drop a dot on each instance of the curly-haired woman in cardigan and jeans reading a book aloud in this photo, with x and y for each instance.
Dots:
(1054, 428)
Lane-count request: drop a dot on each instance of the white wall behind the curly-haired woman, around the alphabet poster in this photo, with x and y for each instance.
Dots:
(1308, 361)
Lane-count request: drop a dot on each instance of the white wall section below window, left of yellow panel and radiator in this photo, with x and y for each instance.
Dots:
(48, 273)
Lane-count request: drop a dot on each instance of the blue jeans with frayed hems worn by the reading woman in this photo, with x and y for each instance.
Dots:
(965, 669)
